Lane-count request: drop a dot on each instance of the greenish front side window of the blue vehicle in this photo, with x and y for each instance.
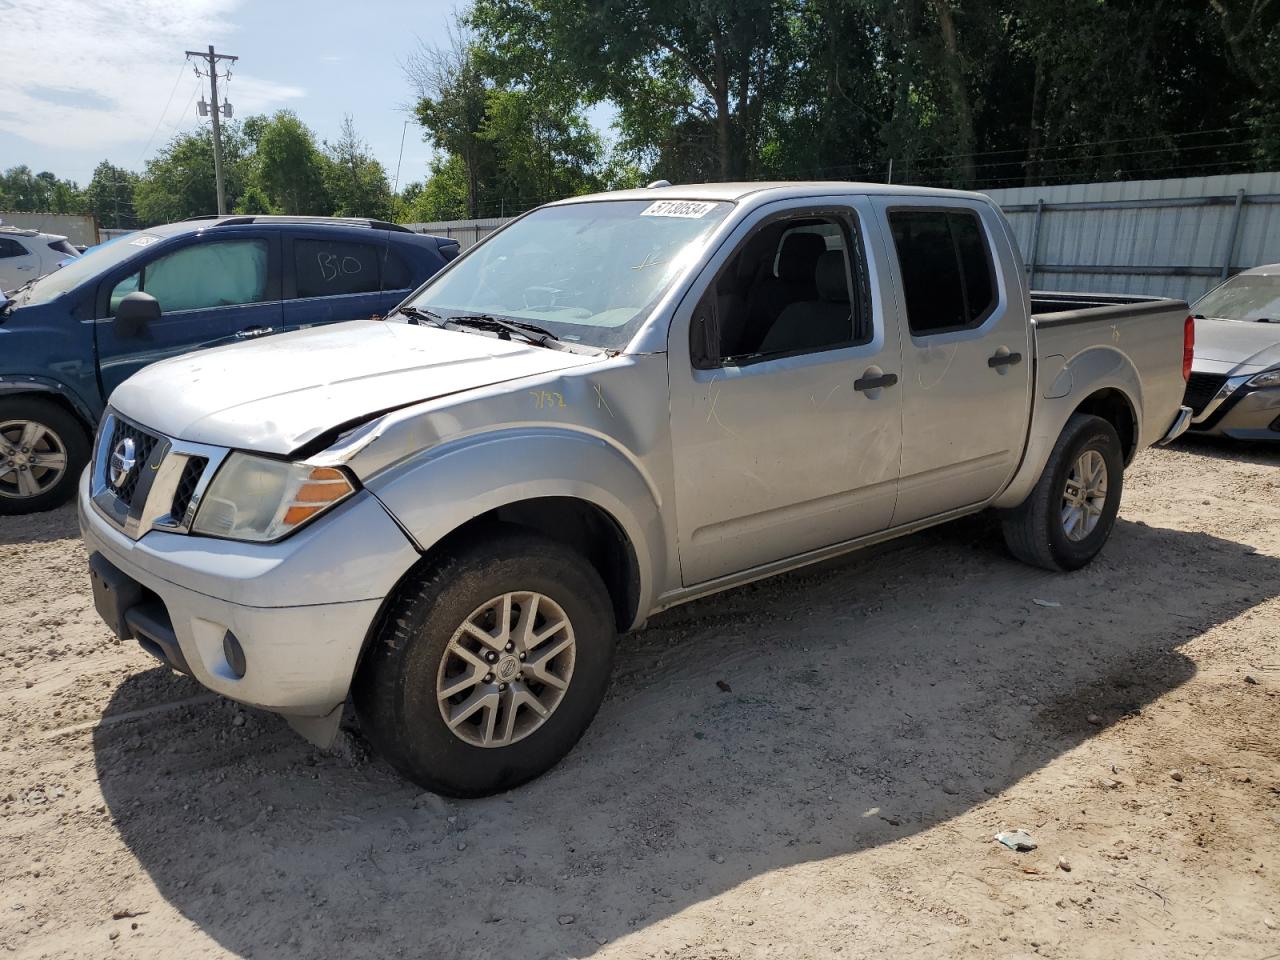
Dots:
(222, 275)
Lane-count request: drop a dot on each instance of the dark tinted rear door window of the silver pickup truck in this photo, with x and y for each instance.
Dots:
(947, 272)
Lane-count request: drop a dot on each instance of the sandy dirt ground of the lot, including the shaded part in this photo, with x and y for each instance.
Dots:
(886, 715)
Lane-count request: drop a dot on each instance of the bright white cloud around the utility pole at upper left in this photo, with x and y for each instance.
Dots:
(95, 74)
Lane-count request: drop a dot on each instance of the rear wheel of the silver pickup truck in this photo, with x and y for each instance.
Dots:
(1071, 513)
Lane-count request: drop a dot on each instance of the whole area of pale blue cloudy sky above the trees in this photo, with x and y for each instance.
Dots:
(92, 80)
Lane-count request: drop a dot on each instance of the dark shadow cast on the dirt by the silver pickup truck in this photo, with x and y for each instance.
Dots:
(870, 700)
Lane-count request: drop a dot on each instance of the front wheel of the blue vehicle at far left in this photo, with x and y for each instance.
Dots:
(43, 451)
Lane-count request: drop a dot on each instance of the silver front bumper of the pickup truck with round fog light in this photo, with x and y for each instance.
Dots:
(300, 609)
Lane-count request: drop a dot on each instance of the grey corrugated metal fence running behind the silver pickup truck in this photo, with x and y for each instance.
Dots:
(1169, 239)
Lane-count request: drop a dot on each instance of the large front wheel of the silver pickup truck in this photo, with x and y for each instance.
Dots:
(488, 666)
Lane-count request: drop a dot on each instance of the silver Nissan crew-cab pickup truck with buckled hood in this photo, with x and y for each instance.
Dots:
(614, 405)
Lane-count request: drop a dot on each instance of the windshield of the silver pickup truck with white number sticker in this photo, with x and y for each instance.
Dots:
(589, 273)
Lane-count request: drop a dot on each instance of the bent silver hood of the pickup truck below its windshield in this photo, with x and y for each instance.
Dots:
(278, 394)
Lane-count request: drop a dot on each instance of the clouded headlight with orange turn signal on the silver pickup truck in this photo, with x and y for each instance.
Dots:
(255, 499)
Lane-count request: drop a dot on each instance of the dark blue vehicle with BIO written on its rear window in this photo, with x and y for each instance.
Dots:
(70, 339)
